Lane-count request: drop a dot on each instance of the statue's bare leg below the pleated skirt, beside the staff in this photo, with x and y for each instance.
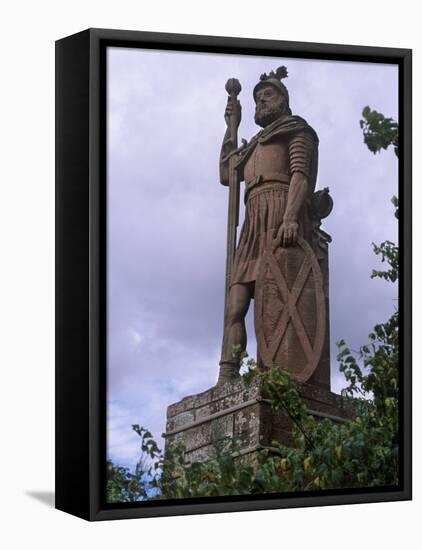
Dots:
(234, 331)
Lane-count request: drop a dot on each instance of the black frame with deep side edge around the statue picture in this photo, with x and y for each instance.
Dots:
(81, 273)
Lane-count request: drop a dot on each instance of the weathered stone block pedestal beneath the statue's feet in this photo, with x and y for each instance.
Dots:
(236, 410)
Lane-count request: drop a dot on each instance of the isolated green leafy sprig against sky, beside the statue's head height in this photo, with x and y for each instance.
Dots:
(379, 132)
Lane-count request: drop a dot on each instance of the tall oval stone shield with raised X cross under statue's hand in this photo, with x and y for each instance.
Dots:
(290, 311)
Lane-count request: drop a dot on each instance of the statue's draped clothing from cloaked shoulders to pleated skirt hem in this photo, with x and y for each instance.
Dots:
(287, 146)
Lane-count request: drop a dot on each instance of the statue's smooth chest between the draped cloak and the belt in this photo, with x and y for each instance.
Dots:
(271, 157)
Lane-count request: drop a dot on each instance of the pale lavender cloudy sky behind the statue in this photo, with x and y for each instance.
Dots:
(167, 216)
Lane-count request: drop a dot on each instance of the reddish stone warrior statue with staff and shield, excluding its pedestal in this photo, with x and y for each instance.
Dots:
(281, 259)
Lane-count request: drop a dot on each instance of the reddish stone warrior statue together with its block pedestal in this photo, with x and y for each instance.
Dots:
(281, 262)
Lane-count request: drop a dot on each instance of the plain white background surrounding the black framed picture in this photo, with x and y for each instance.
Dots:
(29, 30)
